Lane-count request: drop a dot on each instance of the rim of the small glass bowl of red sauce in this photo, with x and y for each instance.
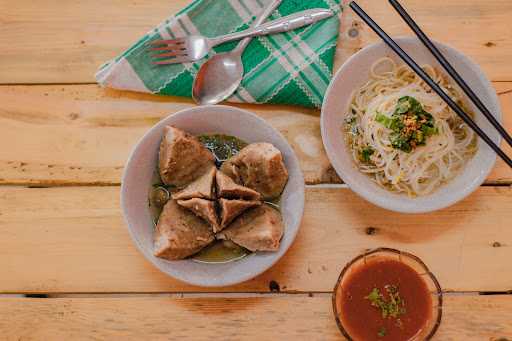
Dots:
(431, 276)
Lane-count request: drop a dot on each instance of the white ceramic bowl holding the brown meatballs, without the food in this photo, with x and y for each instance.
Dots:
(137, 182)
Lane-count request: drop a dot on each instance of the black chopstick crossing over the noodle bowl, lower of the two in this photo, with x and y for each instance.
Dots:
(426, 78)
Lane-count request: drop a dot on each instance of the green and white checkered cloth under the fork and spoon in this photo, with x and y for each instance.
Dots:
(287, 68)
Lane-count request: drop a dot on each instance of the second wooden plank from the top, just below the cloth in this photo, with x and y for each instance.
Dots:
(82, 134)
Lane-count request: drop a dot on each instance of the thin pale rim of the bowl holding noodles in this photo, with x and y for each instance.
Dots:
(391, 205)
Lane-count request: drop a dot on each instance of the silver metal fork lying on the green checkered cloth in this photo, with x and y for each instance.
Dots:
(195, 47)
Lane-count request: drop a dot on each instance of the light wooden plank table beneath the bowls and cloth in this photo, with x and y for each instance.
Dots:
(68, 268)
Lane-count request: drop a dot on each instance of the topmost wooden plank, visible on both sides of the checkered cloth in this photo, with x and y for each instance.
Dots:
(66, 43)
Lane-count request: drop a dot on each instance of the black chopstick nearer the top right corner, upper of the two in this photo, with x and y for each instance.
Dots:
(450, 70)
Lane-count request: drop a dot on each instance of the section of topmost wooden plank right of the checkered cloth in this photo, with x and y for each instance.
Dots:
(481, 31)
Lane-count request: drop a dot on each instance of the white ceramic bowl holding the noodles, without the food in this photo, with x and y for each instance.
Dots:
(353, 74)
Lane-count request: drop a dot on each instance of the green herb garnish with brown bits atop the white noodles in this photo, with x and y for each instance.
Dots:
(410, 124)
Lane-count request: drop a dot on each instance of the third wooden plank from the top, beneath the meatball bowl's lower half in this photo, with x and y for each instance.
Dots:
(73, 239)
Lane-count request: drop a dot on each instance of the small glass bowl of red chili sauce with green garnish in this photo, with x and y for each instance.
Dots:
(387, 295)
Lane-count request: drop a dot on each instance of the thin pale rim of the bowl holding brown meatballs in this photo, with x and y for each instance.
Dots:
(247, 275)
